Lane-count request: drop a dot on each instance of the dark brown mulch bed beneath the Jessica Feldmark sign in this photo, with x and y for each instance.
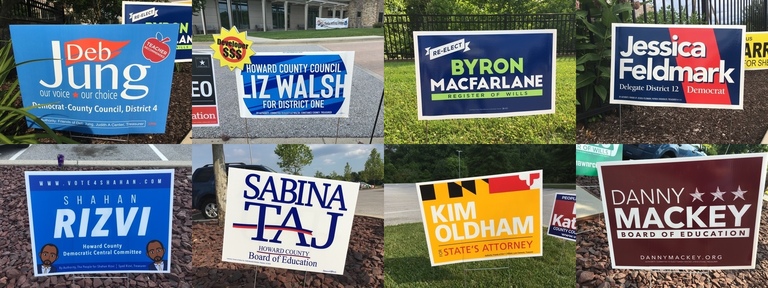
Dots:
(639, 124)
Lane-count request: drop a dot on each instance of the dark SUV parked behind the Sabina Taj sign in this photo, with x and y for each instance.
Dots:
(204, 187)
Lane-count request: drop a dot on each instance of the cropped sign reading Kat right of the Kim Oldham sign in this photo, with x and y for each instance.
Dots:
(562, 223)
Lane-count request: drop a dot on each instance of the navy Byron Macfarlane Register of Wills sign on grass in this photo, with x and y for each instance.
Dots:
(479, 74)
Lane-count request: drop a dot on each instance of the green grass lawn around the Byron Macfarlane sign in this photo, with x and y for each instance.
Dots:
(402, 127)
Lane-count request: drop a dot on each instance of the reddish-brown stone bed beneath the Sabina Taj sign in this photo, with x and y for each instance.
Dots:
(364, 261)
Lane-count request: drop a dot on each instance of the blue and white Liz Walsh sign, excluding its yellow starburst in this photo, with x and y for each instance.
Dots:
(296, 85)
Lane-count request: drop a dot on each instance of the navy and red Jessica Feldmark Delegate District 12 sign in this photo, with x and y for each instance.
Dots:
(693, 66)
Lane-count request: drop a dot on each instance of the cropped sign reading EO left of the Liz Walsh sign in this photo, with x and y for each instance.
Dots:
(205, 111)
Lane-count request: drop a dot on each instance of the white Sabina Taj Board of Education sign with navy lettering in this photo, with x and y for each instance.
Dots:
(286, 221)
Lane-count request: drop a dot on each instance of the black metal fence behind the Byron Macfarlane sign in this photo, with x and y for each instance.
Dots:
(398, 29)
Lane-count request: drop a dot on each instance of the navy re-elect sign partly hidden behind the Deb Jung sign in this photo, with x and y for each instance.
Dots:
(161, 13)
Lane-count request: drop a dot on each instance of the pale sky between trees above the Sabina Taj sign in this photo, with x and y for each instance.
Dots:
(327, 157)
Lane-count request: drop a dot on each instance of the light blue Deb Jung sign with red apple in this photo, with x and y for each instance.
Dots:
(96, 79)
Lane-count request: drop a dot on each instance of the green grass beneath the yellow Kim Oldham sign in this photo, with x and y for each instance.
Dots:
(407, 264)
